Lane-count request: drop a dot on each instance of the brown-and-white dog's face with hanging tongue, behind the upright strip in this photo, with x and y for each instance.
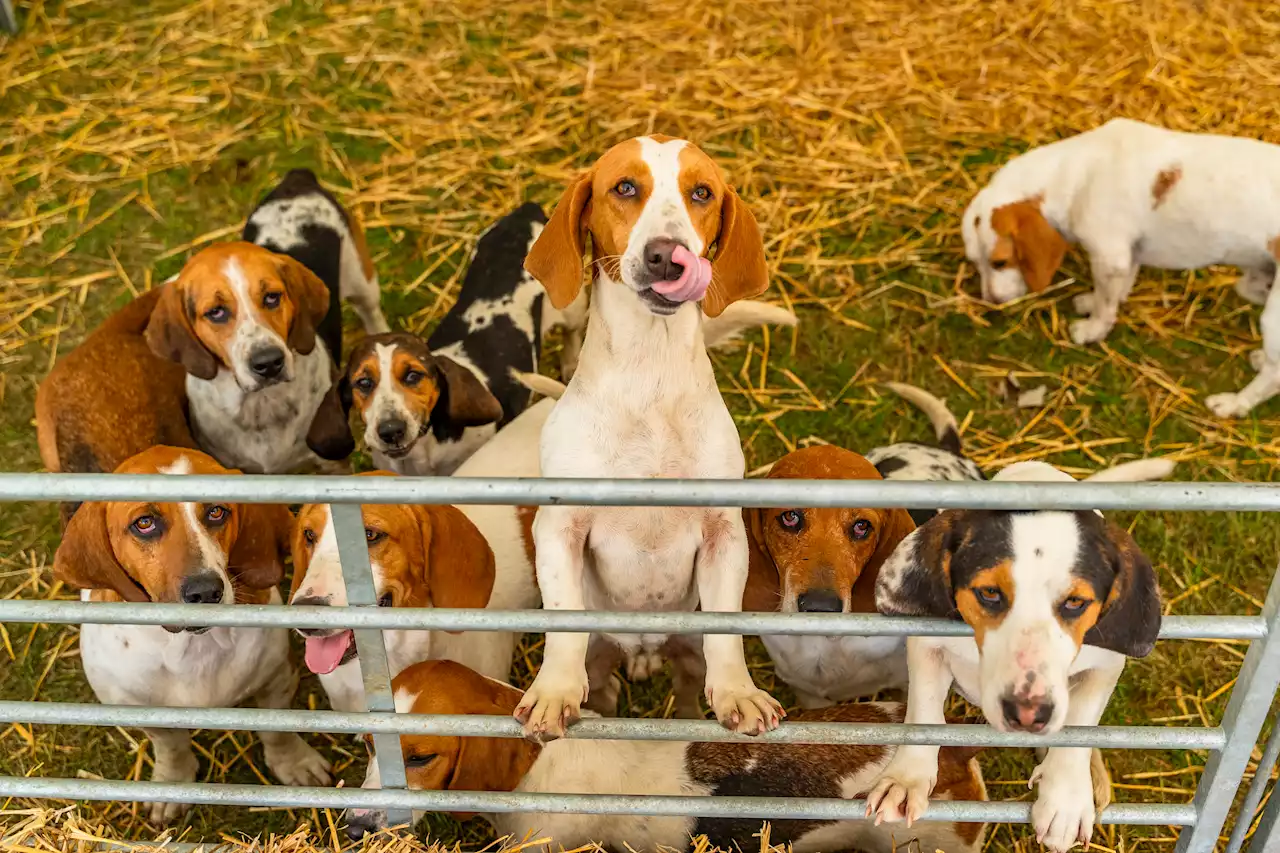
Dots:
(422, 556)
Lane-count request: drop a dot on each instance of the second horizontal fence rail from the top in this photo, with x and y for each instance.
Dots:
(1235, 628)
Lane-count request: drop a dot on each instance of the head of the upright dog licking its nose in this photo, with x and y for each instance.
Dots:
(655, 208)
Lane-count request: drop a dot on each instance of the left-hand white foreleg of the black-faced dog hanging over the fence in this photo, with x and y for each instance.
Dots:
(904, 788)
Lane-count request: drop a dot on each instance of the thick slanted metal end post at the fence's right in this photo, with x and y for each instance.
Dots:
(1249, 709)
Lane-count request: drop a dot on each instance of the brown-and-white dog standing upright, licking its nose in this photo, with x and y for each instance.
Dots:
(644, 404)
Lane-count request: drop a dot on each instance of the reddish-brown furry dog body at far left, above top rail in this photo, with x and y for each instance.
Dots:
(111, 399)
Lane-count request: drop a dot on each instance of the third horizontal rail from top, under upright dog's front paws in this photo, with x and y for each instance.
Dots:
(601, 729)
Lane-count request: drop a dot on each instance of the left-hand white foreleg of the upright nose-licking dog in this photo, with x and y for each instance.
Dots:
(556, 697)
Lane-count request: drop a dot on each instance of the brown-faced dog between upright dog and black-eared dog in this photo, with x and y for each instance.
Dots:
(826, 560)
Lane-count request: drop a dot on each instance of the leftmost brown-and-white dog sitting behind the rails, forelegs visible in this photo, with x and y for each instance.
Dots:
(198, 554)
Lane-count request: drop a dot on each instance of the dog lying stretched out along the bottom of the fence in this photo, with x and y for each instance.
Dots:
(673, 769)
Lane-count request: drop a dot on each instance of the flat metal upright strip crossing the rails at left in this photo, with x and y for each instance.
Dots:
(358, 576)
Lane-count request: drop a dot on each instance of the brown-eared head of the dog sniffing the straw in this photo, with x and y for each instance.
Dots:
(1013, 247)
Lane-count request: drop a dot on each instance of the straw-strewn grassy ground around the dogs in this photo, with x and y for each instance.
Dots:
(132, 134)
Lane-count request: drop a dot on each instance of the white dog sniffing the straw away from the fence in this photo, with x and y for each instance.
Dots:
(1136, 195)
